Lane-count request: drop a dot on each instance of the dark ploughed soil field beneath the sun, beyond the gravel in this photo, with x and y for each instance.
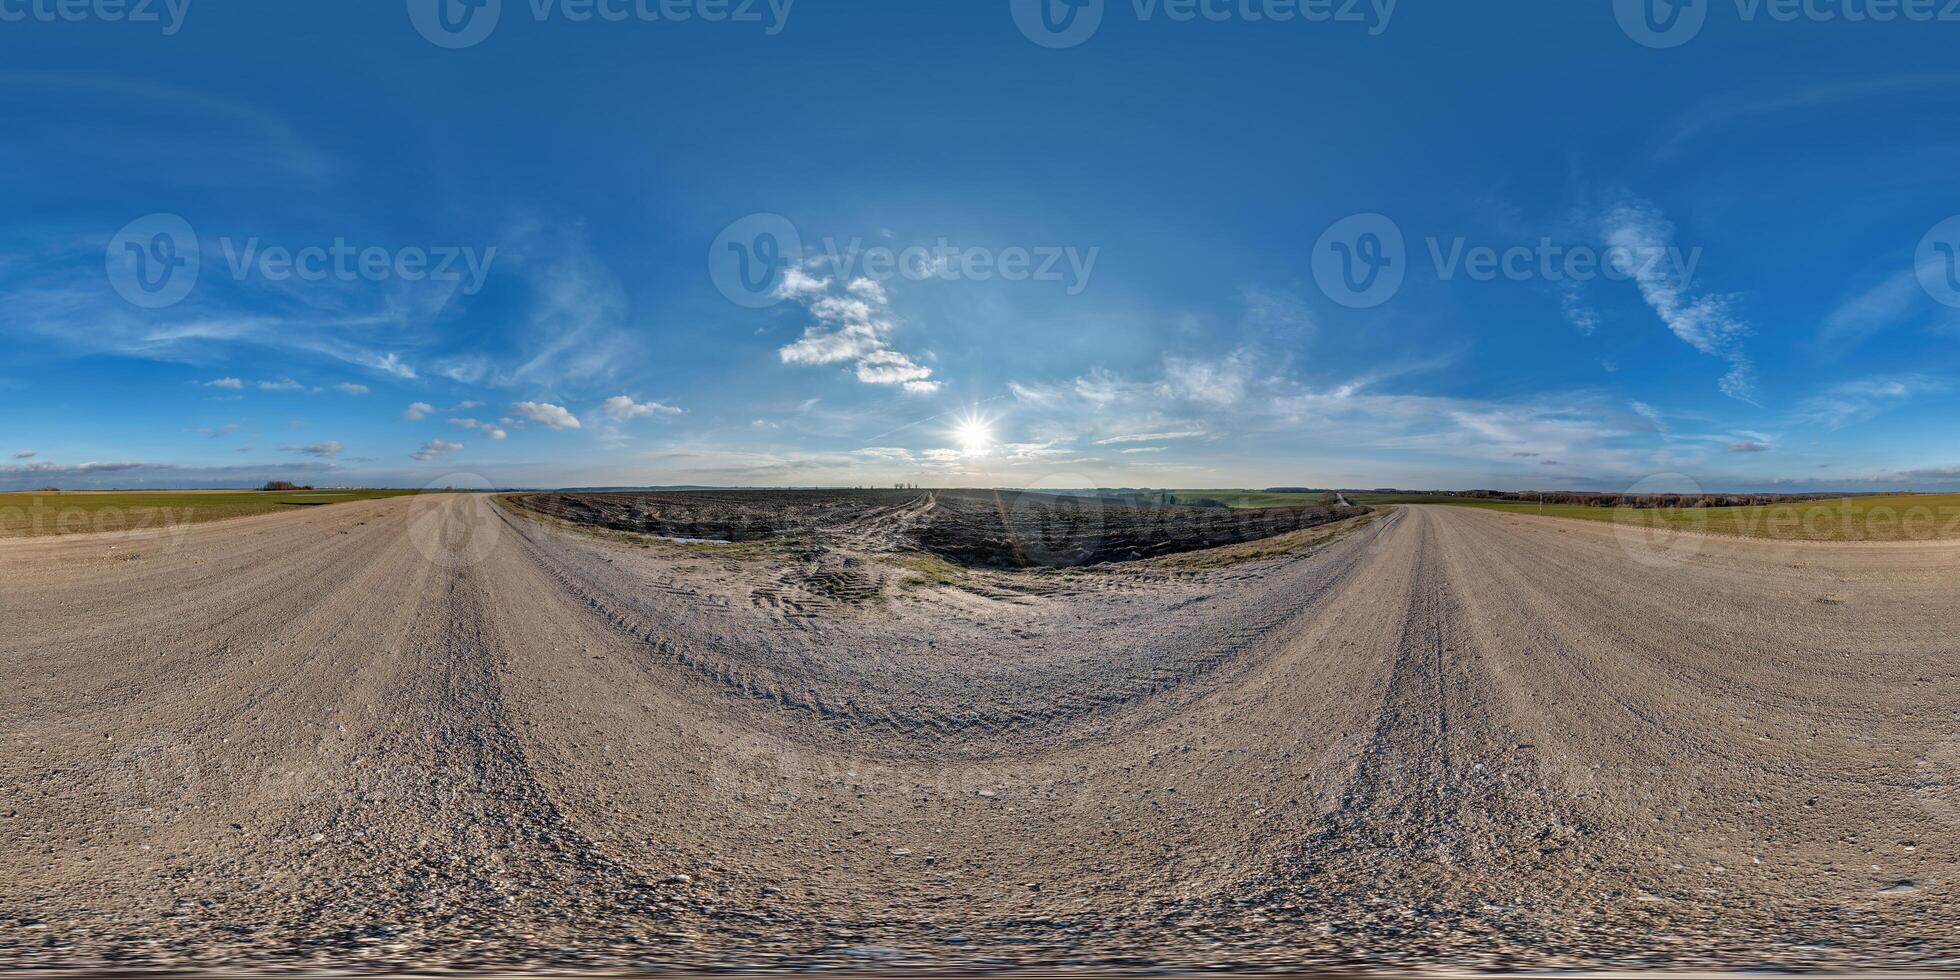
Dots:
(975, 528)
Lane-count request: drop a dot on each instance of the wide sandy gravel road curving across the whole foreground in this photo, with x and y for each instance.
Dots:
(428, 732)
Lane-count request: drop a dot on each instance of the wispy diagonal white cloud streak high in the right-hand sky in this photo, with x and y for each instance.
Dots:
(1641, 246)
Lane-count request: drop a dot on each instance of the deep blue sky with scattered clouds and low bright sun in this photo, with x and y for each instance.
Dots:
(1197, 244)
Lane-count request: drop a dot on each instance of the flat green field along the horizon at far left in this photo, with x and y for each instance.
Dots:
(81, 513)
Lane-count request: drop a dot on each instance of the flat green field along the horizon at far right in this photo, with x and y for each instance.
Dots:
(1859, 518)
